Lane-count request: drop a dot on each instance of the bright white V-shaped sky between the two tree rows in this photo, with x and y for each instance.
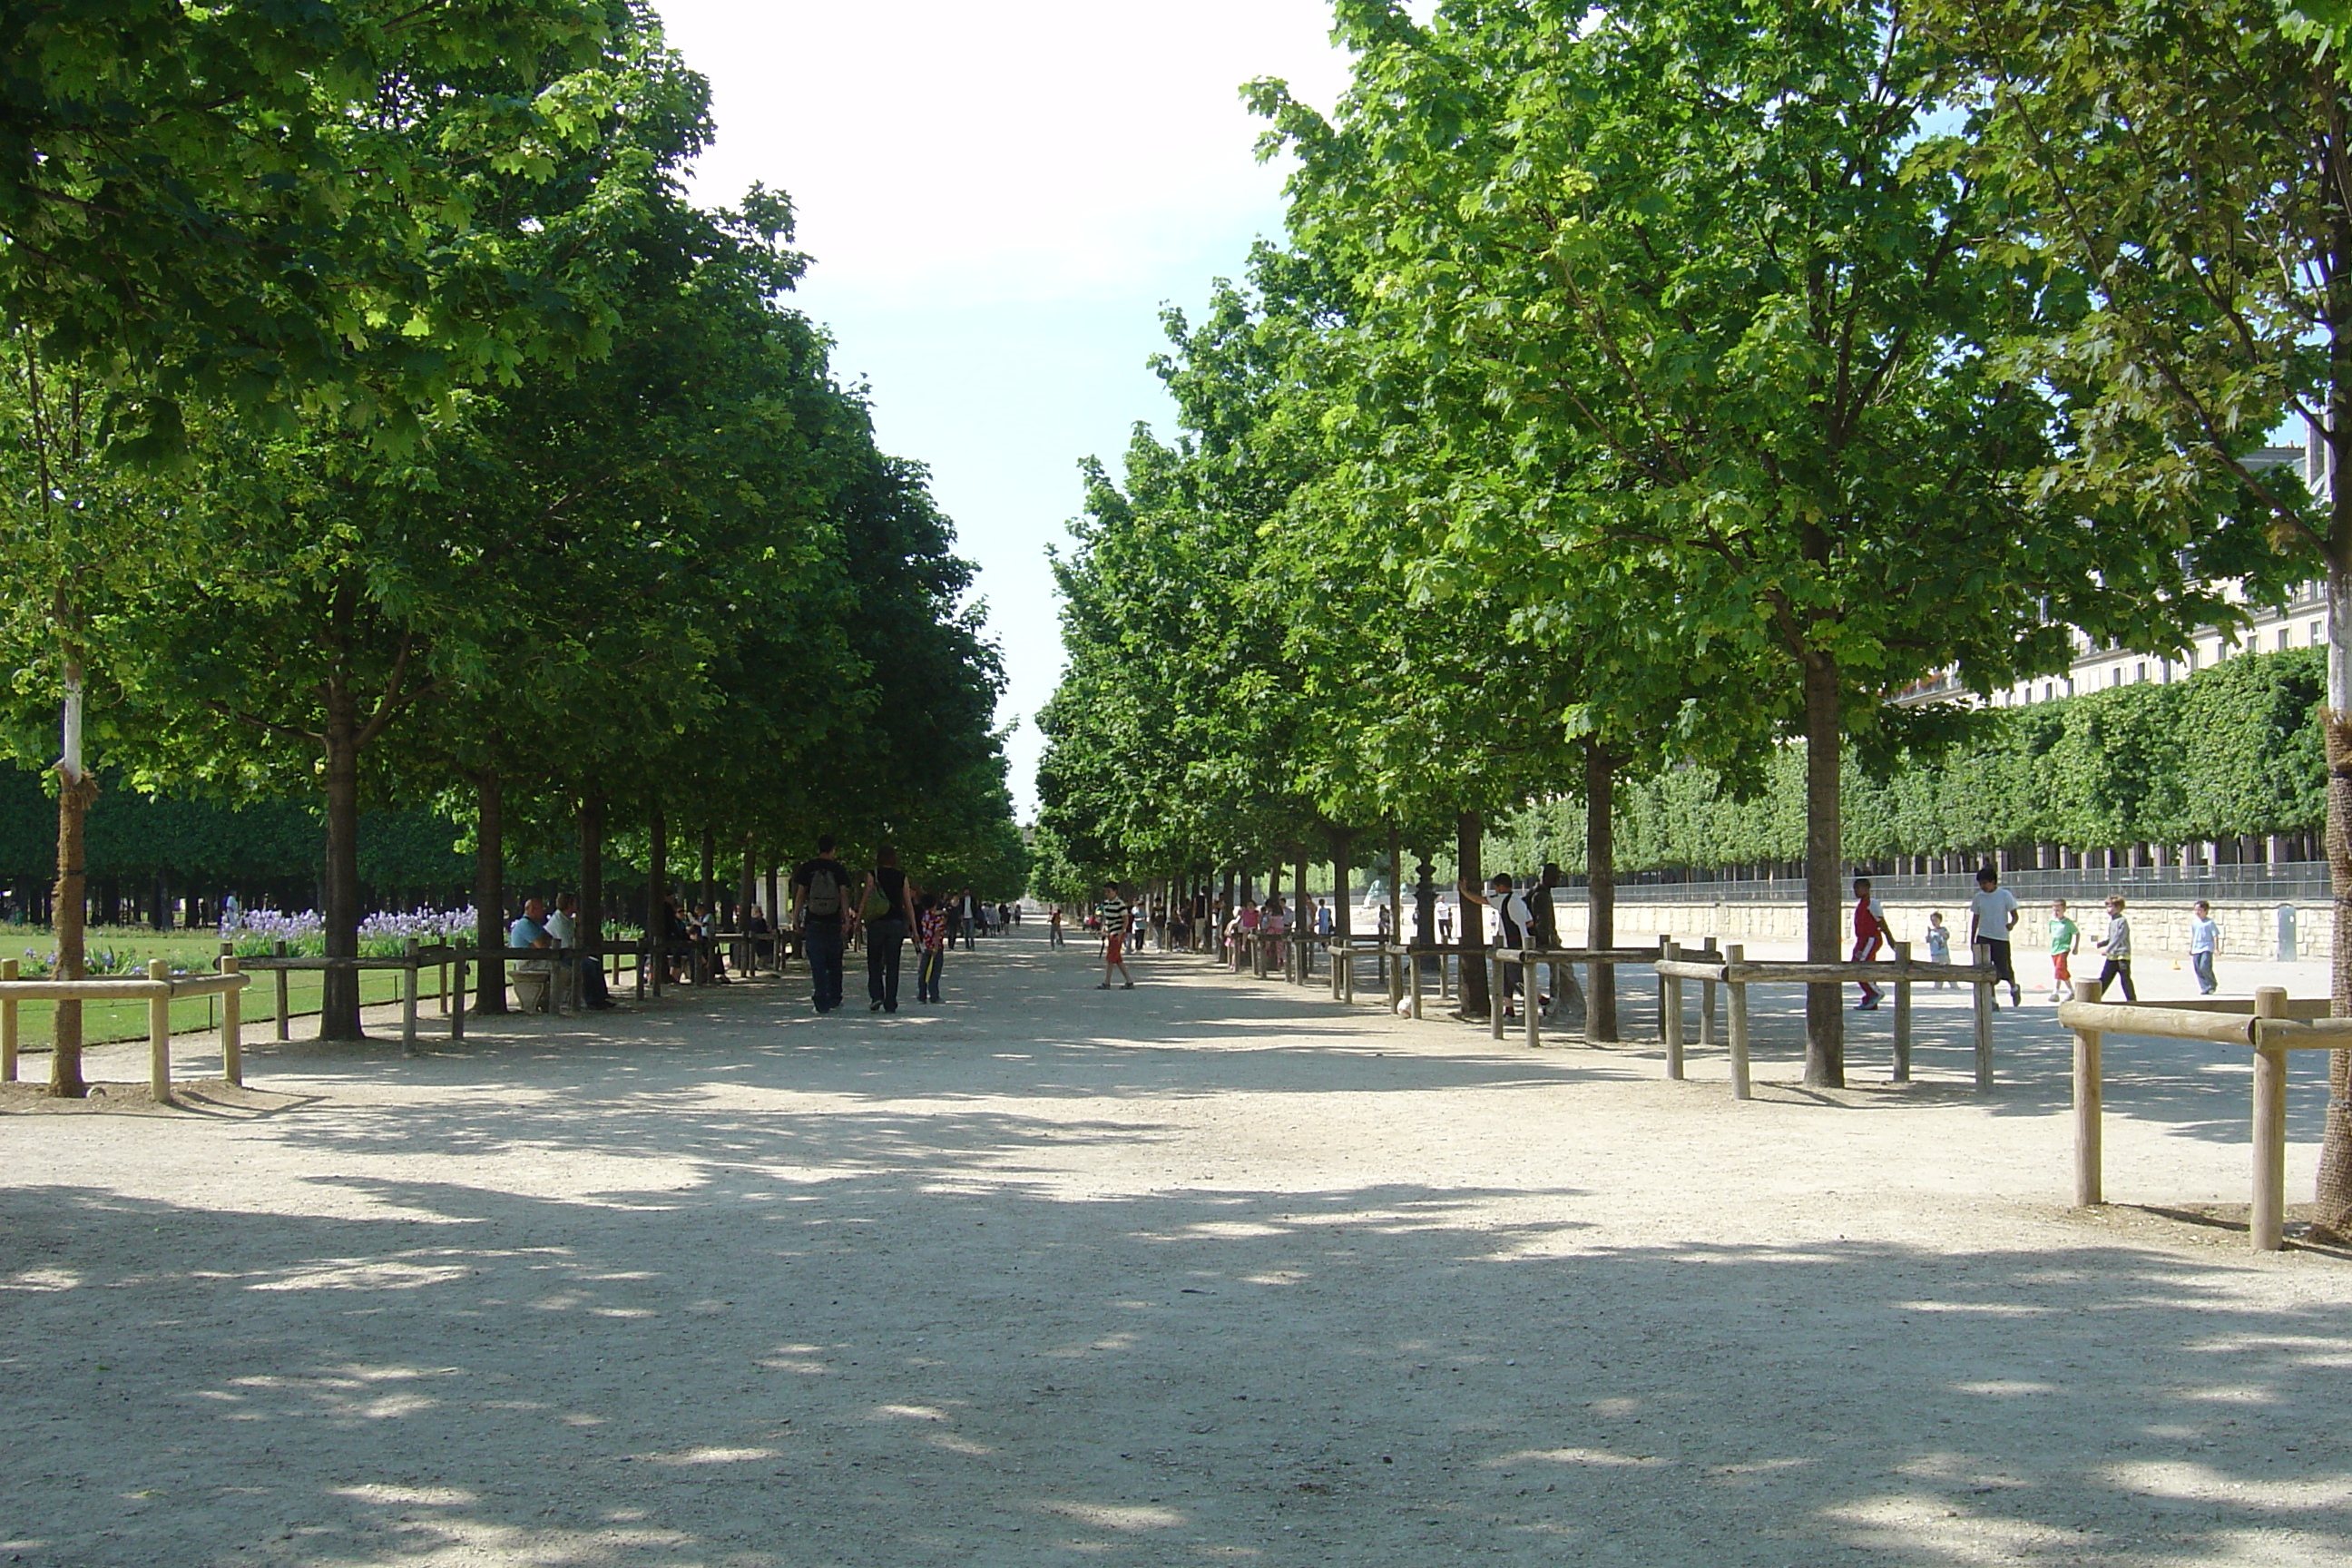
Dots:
(998, 201)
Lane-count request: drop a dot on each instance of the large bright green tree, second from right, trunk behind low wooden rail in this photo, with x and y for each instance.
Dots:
(1728, 293)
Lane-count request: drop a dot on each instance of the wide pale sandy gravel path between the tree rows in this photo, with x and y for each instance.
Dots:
(1196, 1273)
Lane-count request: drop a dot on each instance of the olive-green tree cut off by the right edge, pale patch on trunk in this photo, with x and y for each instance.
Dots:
(2181, 175)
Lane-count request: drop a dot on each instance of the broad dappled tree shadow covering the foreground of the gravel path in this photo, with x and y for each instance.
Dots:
(897, 1341)
